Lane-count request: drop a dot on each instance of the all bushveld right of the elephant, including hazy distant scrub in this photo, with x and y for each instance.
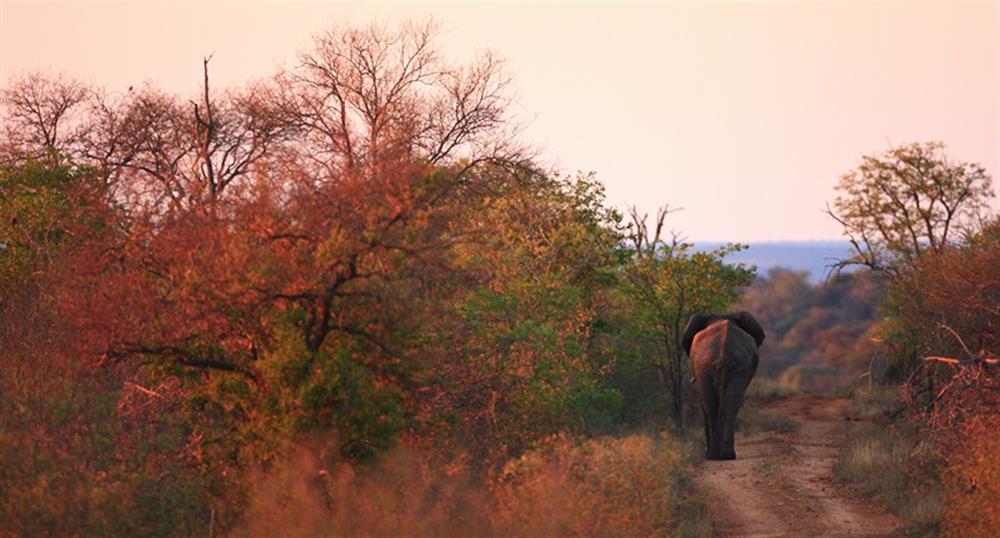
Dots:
(915, 337)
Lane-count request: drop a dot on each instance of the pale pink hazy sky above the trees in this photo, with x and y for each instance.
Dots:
(743, 114)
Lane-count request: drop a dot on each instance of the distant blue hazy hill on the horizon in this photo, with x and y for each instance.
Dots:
(811, 256)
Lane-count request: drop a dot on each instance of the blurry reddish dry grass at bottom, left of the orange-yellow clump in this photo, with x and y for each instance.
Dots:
(313, 494)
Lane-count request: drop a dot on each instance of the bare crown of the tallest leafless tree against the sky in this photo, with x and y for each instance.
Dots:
(367, 97)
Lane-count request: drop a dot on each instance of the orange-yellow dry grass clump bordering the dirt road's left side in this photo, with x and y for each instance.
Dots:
(630, 486)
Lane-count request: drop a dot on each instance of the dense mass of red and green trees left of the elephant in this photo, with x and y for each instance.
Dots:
(347, 279)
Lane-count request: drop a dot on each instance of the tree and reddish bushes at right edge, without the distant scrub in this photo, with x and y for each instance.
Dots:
(918, 222)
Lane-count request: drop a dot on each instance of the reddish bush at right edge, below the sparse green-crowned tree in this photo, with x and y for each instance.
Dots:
(952, 301)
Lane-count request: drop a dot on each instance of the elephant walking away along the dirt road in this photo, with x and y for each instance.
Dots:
(724, 352)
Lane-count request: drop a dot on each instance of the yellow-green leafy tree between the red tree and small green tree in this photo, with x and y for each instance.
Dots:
(545, 261)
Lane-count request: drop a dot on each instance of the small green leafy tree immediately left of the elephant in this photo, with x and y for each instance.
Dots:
(661, 286)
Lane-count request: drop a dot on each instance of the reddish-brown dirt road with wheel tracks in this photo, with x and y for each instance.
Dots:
(783, 483)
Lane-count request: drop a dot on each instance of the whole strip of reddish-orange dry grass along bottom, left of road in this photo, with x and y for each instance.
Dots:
(629, 486)
